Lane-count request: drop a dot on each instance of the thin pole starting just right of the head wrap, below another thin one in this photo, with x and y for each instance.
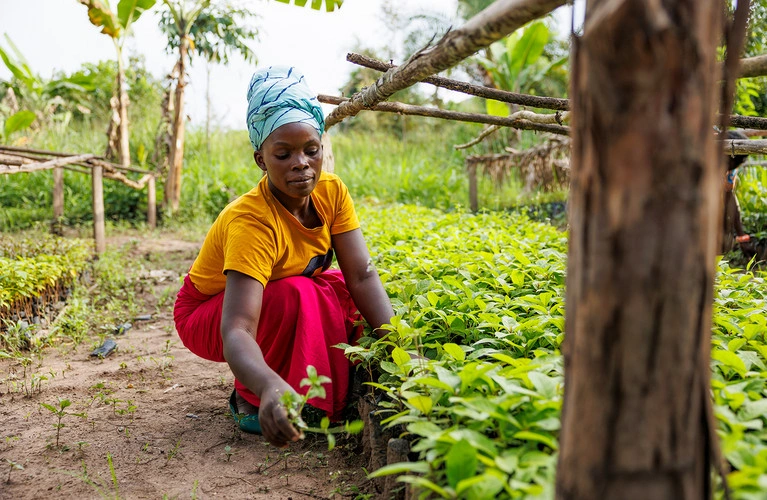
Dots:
(504, 121)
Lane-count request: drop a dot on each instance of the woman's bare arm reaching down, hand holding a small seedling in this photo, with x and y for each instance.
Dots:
(239, 323)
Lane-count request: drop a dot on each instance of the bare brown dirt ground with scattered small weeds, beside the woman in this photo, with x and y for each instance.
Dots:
(158, 411)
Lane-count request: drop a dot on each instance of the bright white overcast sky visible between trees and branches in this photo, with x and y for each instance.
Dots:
(55, 35)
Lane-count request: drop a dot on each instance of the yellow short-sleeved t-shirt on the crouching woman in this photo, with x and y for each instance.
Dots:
(257, 236)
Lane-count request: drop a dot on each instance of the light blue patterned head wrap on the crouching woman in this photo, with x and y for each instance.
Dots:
(278, 95)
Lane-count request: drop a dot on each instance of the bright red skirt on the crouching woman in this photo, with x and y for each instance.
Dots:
(301, 320)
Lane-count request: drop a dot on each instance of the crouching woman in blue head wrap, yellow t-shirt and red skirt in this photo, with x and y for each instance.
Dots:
(260, 295)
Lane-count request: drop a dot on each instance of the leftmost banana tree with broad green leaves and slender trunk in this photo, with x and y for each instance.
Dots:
(117, 24)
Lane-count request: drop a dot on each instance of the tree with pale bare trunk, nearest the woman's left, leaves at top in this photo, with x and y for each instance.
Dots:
(185, 15)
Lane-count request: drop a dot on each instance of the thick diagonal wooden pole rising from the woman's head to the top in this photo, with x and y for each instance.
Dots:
(492, 24)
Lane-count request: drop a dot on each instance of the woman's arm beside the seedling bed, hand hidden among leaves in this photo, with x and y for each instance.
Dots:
(362, 279)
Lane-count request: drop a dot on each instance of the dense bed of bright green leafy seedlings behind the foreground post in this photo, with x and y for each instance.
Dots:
(470, 371)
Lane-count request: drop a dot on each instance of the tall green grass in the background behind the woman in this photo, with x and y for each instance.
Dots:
(416, 165)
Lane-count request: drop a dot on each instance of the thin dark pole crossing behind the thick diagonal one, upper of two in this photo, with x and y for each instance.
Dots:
(555, 103)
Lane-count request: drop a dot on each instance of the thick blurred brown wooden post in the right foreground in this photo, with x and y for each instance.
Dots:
(644, 213)
